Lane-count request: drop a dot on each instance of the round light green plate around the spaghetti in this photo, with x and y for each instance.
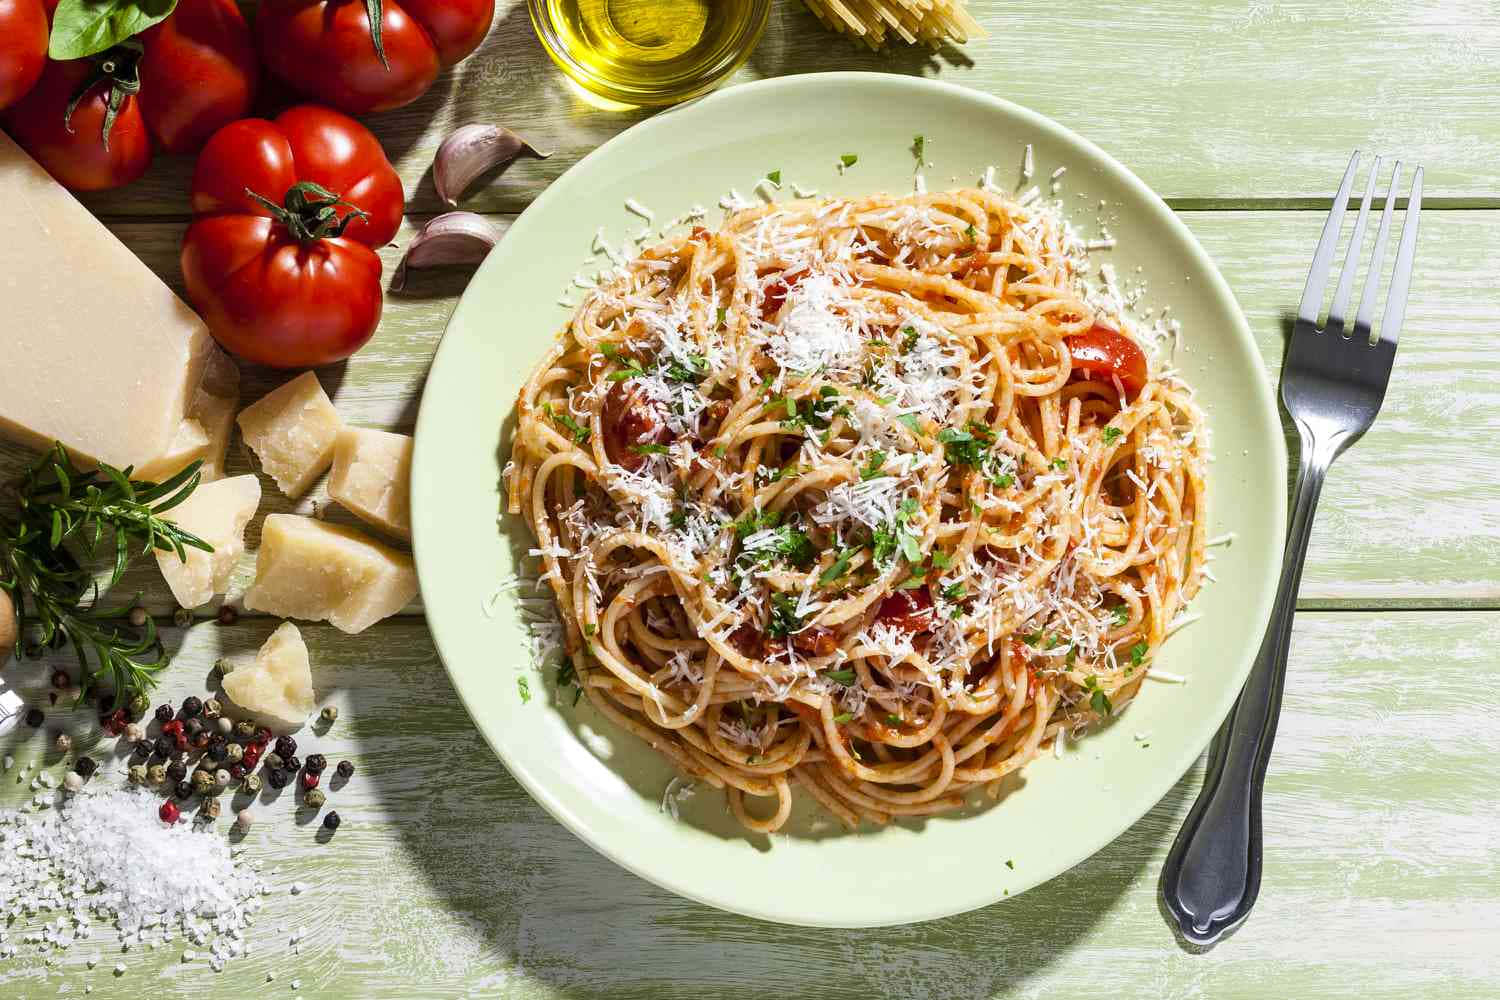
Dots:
(607, 786)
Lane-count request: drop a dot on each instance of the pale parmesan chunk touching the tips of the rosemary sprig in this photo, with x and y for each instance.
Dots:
(217, 513)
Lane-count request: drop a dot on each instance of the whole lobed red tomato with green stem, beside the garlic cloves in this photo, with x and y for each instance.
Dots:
(284, 287)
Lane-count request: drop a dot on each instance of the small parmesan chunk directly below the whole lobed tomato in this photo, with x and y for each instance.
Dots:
(292, 431)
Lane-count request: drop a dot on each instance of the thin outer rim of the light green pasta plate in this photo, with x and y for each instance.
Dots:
(1169, 771)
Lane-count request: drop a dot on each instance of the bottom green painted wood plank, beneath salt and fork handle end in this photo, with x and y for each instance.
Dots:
(1382, 861)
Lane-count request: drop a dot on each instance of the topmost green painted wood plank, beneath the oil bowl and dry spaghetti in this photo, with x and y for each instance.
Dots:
(1213, 101)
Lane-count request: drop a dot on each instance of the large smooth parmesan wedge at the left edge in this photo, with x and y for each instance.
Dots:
(100, 355)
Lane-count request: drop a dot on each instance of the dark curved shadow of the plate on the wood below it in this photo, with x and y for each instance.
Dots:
(530, 899)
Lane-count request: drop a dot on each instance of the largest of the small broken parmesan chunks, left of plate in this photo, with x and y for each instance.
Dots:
(308, 569)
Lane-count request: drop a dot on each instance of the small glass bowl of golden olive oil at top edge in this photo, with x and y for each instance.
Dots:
(649, 52)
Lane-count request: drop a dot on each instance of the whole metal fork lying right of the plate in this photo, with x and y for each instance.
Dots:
(1333, 385)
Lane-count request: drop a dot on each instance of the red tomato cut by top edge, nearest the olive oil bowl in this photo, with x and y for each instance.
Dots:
(326, 50)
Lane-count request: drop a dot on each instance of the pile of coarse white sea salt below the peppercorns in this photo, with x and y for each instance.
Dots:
(106, 858)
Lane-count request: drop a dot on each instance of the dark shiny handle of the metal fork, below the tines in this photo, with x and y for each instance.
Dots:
(1213, 875)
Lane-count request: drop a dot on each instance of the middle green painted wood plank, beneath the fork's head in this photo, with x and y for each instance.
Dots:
(1412, 515)
